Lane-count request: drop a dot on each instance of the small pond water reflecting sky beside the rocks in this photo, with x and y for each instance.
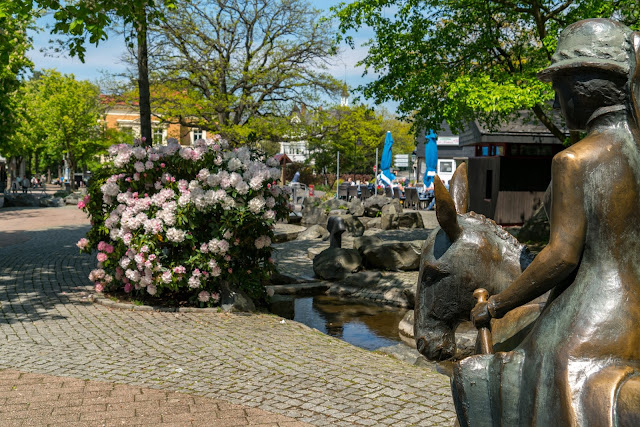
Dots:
(366, 326)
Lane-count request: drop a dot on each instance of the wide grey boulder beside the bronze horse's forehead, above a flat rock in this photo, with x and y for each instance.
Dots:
(392, 256)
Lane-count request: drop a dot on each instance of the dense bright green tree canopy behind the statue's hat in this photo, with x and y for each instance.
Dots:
(460, 60)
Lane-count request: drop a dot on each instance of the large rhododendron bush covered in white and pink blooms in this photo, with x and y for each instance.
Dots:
(178, 222)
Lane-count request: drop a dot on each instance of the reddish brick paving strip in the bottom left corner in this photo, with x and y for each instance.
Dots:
(44, 400)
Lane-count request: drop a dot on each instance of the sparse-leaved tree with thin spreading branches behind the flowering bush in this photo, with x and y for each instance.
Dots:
(236, 66)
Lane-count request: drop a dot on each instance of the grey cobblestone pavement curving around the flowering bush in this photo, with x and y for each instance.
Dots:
(48, 326)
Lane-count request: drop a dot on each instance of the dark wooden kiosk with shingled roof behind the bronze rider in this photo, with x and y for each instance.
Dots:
(510, 169)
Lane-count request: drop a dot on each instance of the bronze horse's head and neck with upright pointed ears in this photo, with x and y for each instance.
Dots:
(467, 252)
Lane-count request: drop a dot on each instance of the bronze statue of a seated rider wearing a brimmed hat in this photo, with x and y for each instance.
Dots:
(580, 363)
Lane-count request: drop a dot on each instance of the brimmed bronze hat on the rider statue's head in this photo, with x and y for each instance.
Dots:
(600, 44)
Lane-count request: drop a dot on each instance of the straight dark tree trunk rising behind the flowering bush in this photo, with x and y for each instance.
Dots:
(143, 79)
